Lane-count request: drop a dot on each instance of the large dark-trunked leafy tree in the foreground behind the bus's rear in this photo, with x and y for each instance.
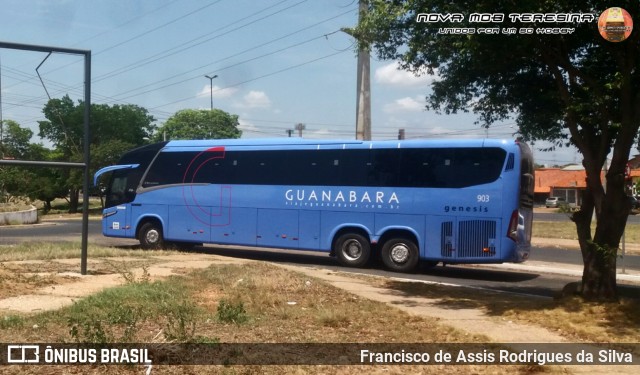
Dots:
(574, 88)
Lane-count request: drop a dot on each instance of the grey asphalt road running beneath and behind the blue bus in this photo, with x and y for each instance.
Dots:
(535, 282)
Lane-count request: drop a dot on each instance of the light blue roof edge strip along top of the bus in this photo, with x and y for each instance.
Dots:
(301, 143)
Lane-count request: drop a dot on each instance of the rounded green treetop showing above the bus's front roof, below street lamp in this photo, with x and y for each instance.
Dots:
(199, 124)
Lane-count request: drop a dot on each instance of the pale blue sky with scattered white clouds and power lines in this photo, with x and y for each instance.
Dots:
(278, 63)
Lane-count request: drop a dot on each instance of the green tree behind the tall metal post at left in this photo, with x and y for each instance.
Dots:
(114, 128)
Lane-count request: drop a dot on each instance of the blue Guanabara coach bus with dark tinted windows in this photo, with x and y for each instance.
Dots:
(450, 201)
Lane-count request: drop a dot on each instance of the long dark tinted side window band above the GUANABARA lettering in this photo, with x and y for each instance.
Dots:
(436, 167)
